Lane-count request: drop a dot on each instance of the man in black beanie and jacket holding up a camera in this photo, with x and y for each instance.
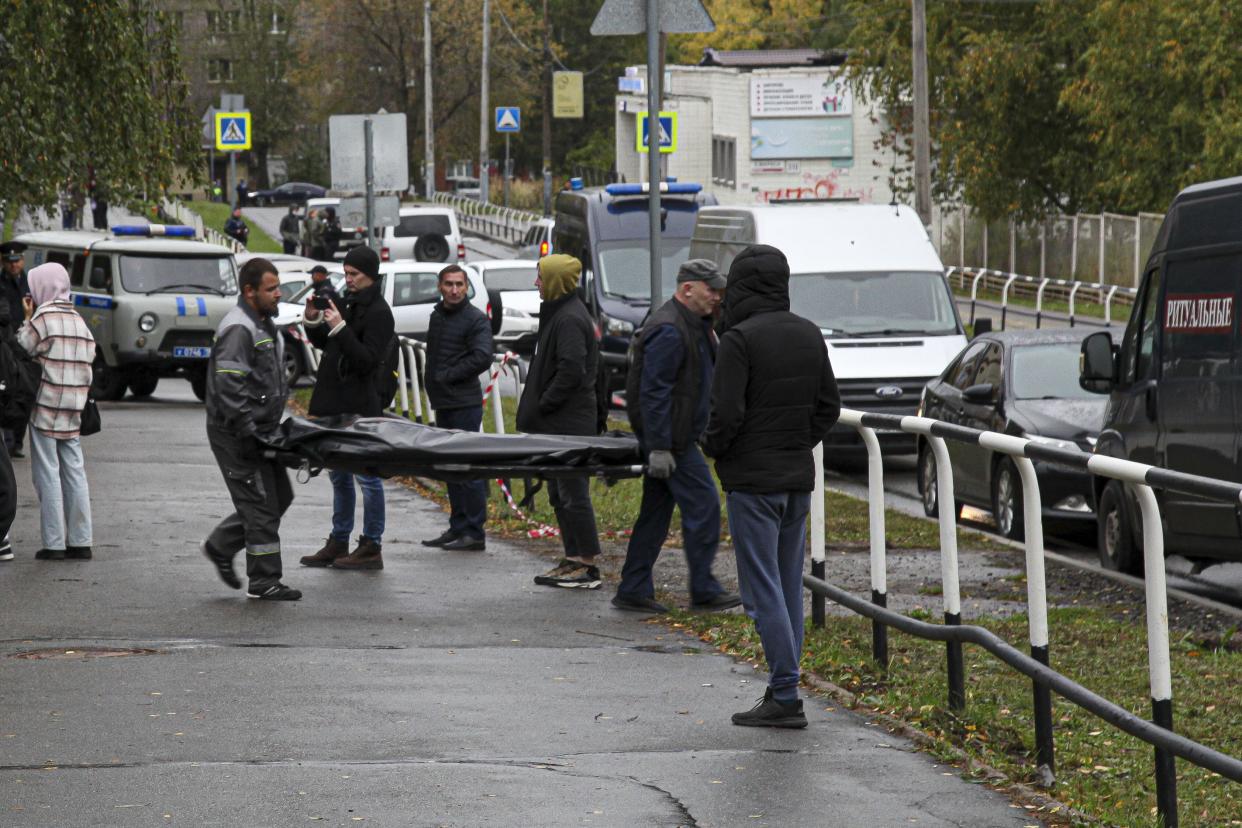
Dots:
(355, 340)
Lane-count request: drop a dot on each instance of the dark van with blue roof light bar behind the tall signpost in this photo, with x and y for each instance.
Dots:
(608, 230)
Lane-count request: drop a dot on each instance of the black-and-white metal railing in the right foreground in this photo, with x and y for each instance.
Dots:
(1137, 477)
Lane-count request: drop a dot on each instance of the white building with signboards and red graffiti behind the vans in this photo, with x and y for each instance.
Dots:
(762, 126)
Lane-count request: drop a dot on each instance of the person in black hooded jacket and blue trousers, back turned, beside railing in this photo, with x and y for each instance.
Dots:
(774, 399)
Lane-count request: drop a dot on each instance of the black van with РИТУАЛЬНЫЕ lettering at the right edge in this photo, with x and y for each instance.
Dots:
(1176, 382)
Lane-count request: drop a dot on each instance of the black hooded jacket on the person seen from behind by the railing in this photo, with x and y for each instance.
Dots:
(773, 394)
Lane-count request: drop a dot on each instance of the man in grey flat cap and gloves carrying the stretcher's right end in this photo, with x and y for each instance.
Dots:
(669, 390)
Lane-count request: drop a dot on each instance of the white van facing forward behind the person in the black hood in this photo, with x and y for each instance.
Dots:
(870, 279)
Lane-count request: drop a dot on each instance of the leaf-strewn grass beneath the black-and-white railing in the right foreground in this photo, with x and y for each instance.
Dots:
(1101, 772)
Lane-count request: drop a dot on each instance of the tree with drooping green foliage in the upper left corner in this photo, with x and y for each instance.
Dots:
(93, 88)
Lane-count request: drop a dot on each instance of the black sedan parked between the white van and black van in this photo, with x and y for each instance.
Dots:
(1023, 384)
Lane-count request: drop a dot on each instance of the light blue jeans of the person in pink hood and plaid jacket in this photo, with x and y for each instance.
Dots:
(64, 495)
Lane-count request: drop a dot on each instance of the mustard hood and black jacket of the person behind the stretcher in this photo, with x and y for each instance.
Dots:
(560, 397)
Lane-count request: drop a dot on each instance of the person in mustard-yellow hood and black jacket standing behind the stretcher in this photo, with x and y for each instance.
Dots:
(560, 399)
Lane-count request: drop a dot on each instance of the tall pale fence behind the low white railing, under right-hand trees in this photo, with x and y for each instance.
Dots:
(1102, 249)
